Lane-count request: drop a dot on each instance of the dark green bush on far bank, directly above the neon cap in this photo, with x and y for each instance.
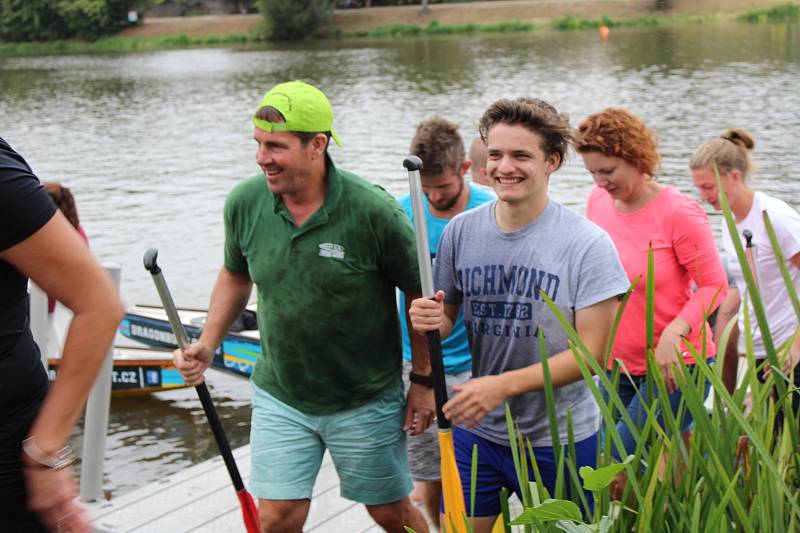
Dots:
(295, 19)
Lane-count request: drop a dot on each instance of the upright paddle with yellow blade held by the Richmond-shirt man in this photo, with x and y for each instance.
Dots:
(454, 509)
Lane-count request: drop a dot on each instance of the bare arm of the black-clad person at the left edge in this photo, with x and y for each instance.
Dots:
(57, 260)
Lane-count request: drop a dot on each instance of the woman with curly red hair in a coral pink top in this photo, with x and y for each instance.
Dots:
(637, 211)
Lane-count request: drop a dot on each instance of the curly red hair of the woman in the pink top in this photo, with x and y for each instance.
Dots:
(619, 133)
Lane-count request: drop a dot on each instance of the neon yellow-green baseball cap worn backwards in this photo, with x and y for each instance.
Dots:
(304, 108)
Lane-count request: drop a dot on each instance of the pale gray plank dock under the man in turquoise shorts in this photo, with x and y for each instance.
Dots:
(202, 499)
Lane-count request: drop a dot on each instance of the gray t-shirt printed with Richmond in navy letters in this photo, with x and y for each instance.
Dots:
(497, 277)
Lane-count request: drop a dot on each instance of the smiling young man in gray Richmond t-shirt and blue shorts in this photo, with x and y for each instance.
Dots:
(496, 261)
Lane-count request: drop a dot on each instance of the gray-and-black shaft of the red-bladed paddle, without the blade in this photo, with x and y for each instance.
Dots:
(182, 339)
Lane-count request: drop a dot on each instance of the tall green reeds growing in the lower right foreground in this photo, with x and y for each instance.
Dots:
(735, 472)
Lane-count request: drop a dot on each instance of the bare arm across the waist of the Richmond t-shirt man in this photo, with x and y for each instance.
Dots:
(479, 396)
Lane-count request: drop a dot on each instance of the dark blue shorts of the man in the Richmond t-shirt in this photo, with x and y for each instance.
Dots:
(496, 469)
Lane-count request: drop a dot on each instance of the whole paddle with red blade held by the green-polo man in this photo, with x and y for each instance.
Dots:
(249, 510)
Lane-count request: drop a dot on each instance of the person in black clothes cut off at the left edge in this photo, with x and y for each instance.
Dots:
(37, 488)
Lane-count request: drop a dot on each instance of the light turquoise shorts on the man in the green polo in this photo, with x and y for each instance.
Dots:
(367, 446)
